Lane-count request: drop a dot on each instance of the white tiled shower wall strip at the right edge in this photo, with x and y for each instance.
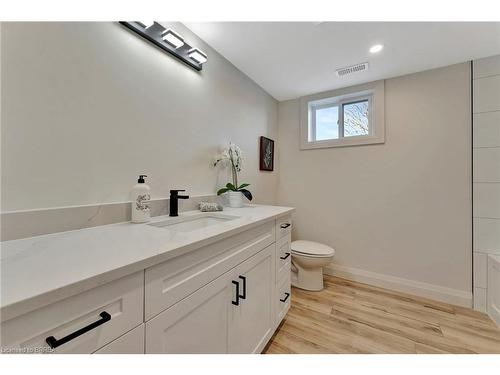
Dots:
(486, 156)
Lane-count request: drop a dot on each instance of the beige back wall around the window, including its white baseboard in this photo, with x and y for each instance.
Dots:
(398, 214)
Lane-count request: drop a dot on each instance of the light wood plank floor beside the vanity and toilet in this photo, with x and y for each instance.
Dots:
(349, 317)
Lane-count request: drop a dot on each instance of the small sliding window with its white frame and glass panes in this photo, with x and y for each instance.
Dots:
(346, 119)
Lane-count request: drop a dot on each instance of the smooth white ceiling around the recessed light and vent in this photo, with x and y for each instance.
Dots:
(292, 59)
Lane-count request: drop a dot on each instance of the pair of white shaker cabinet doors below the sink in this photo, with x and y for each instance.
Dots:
(232, 314)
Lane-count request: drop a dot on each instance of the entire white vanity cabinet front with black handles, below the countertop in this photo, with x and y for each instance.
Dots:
(227, 296)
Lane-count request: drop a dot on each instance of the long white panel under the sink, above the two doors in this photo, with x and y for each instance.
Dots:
(169, 282)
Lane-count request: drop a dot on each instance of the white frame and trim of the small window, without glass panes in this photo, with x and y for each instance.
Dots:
(373, 92)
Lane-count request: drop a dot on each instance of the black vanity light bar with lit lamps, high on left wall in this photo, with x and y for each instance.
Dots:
(168, 41)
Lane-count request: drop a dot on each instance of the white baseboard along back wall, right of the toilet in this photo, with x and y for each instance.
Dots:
(417, 288)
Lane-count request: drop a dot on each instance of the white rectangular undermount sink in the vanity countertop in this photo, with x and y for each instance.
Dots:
(184, 224)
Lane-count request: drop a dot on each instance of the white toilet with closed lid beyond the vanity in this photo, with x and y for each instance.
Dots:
(308, 260)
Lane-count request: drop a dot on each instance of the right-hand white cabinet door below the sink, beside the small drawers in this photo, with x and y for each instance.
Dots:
(250, 321)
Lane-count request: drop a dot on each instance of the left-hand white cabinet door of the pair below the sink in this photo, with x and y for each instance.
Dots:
(196, 324)
